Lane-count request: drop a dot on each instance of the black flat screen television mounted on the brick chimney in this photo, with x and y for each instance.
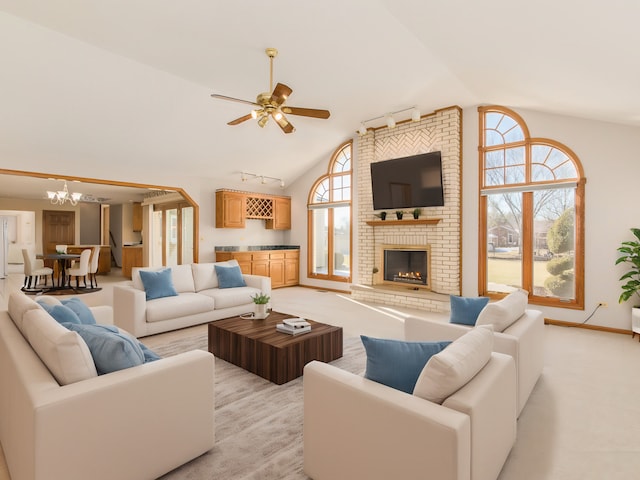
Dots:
(408, 182)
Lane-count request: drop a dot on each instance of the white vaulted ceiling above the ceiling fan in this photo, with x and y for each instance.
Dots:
(125, 84)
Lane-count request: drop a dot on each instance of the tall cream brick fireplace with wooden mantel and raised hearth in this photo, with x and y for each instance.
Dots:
(438, 230)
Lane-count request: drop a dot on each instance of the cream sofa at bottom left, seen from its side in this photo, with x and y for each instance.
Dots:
(137, 423)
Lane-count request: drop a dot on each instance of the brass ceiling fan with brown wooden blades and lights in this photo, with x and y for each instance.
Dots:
(273, 104)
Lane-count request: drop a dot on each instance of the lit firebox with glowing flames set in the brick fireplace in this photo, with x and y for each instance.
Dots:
(406, 265)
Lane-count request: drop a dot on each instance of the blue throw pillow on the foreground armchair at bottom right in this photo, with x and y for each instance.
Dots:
(396, 363)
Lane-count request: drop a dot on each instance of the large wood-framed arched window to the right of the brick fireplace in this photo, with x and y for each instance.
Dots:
(531, 213)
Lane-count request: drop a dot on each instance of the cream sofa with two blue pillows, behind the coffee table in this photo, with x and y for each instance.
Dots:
(199, 299)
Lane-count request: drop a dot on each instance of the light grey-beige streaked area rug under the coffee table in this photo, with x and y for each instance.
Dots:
(258, 424)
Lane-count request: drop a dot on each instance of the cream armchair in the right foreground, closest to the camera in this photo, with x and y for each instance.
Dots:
(357, 428)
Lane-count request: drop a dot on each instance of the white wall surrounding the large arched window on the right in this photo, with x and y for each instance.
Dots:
(609, 156)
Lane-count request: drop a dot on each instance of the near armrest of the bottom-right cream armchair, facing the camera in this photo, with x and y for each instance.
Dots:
(357, 428)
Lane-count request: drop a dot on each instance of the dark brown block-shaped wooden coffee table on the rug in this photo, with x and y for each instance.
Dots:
(256, 346)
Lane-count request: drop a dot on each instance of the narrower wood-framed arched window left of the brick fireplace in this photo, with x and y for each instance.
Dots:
(329, 220)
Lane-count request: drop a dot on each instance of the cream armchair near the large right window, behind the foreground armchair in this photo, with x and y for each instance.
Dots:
(523, 340)
